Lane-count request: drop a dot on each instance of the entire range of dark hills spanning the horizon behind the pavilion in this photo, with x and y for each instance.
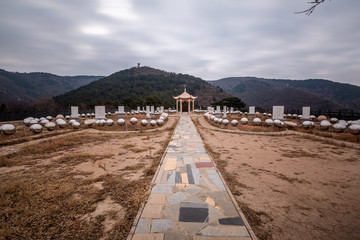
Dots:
(145, 85)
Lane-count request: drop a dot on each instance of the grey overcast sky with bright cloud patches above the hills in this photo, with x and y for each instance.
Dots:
(207, 39)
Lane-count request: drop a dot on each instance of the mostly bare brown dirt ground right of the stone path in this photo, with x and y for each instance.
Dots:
(290, 187)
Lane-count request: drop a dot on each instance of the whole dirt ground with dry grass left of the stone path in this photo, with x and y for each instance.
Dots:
(85, 184)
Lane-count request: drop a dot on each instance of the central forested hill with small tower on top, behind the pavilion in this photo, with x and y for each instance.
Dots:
(141, 86)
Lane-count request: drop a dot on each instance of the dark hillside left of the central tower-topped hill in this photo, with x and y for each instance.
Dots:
(27, 88)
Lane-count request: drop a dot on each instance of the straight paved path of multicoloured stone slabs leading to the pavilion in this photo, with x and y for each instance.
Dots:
(189, 199)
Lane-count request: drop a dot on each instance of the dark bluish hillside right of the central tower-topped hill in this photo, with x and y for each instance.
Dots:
(293, 94)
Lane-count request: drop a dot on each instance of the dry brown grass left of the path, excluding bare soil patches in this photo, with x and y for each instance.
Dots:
(50, 201)
